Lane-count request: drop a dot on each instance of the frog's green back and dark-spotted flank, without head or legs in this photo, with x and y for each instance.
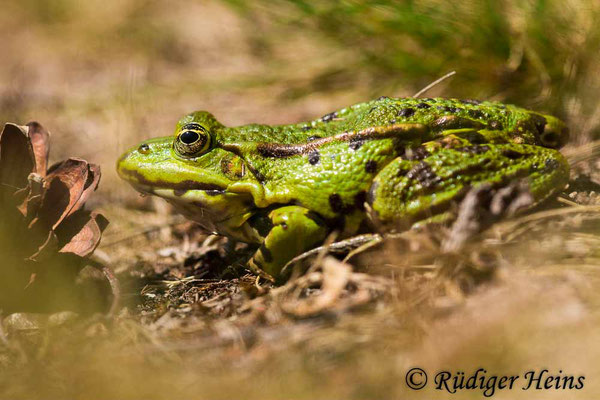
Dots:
(328, 164)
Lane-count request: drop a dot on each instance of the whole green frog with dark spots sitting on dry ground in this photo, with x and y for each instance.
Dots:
(389, 163)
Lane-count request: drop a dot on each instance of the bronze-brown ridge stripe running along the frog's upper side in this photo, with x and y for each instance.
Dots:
(277, 150)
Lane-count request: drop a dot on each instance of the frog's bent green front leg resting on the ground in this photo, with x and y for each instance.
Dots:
(287, 232)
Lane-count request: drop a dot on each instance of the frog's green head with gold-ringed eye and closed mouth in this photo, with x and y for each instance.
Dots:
(191, 171)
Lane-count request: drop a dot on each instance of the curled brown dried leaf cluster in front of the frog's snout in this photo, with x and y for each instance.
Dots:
(45, 231)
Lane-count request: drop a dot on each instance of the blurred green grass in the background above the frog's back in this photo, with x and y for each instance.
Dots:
(542, 54)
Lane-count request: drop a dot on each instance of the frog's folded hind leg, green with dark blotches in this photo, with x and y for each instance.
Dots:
(426, 184)
